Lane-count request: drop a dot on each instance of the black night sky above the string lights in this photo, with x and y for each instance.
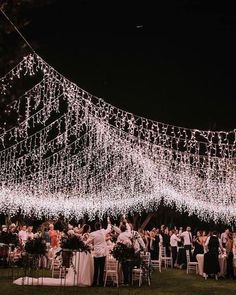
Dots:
(173, 63)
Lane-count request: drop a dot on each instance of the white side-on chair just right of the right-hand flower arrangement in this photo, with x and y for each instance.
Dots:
(143, 272)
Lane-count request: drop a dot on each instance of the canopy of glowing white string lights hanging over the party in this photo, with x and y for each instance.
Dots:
(71, 153)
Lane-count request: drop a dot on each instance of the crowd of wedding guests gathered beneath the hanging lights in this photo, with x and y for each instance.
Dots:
(102, 241)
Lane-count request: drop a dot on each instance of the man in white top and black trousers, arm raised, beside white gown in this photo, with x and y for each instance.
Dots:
(97, 238)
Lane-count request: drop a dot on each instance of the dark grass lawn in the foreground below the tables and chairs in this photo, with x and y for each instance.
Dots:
(169, 282)
